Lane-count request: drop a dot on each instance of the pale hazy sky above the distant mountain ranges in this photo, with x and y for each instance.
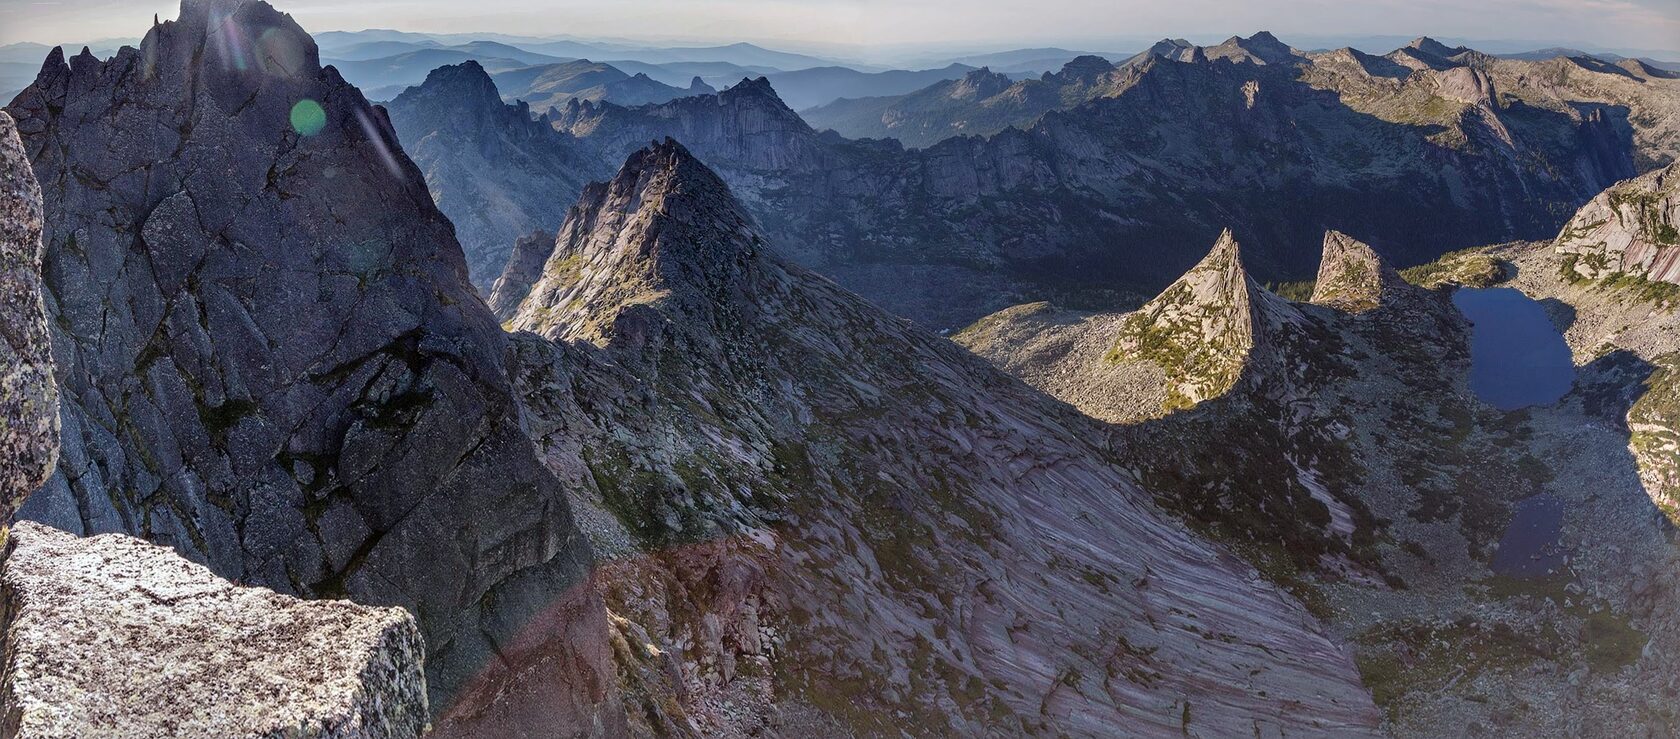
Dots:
(883, 24)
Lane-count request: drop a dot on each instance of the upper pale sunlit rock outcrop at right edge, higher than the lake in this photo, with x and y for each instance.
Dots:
(1630, 229)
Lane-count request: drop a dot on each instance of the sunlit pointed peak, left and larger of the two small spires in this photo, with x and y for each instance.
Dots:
(1204, 328)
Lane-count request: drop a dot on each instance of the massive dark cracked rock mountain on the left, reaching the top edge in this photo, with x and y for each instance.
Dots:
(270, 354)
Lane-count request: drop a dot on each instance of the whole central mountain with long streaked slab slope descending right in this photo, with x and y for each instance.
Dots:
(819, 518)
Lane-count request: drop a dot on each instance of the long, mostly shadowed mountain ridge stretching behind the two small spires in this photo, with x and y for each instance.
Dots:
(1115, 197)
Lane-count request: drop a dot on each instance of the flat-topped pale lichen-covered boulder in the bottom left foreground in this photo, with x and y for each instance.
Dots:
(115, 637)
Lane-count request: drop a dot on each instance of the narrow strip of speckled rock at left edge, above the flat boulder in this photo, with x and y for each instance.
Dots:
(29, 401)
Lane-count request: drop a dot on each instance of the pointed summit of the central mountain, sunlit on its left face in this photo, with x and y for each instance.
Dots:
(664, 228)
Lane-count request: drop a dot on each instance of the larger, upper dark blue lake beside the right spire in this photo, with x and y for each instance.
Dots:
(1518, 359)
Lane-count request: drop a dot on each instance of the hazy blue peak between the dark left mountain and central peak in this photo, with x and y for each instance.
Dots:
(495, 170)
